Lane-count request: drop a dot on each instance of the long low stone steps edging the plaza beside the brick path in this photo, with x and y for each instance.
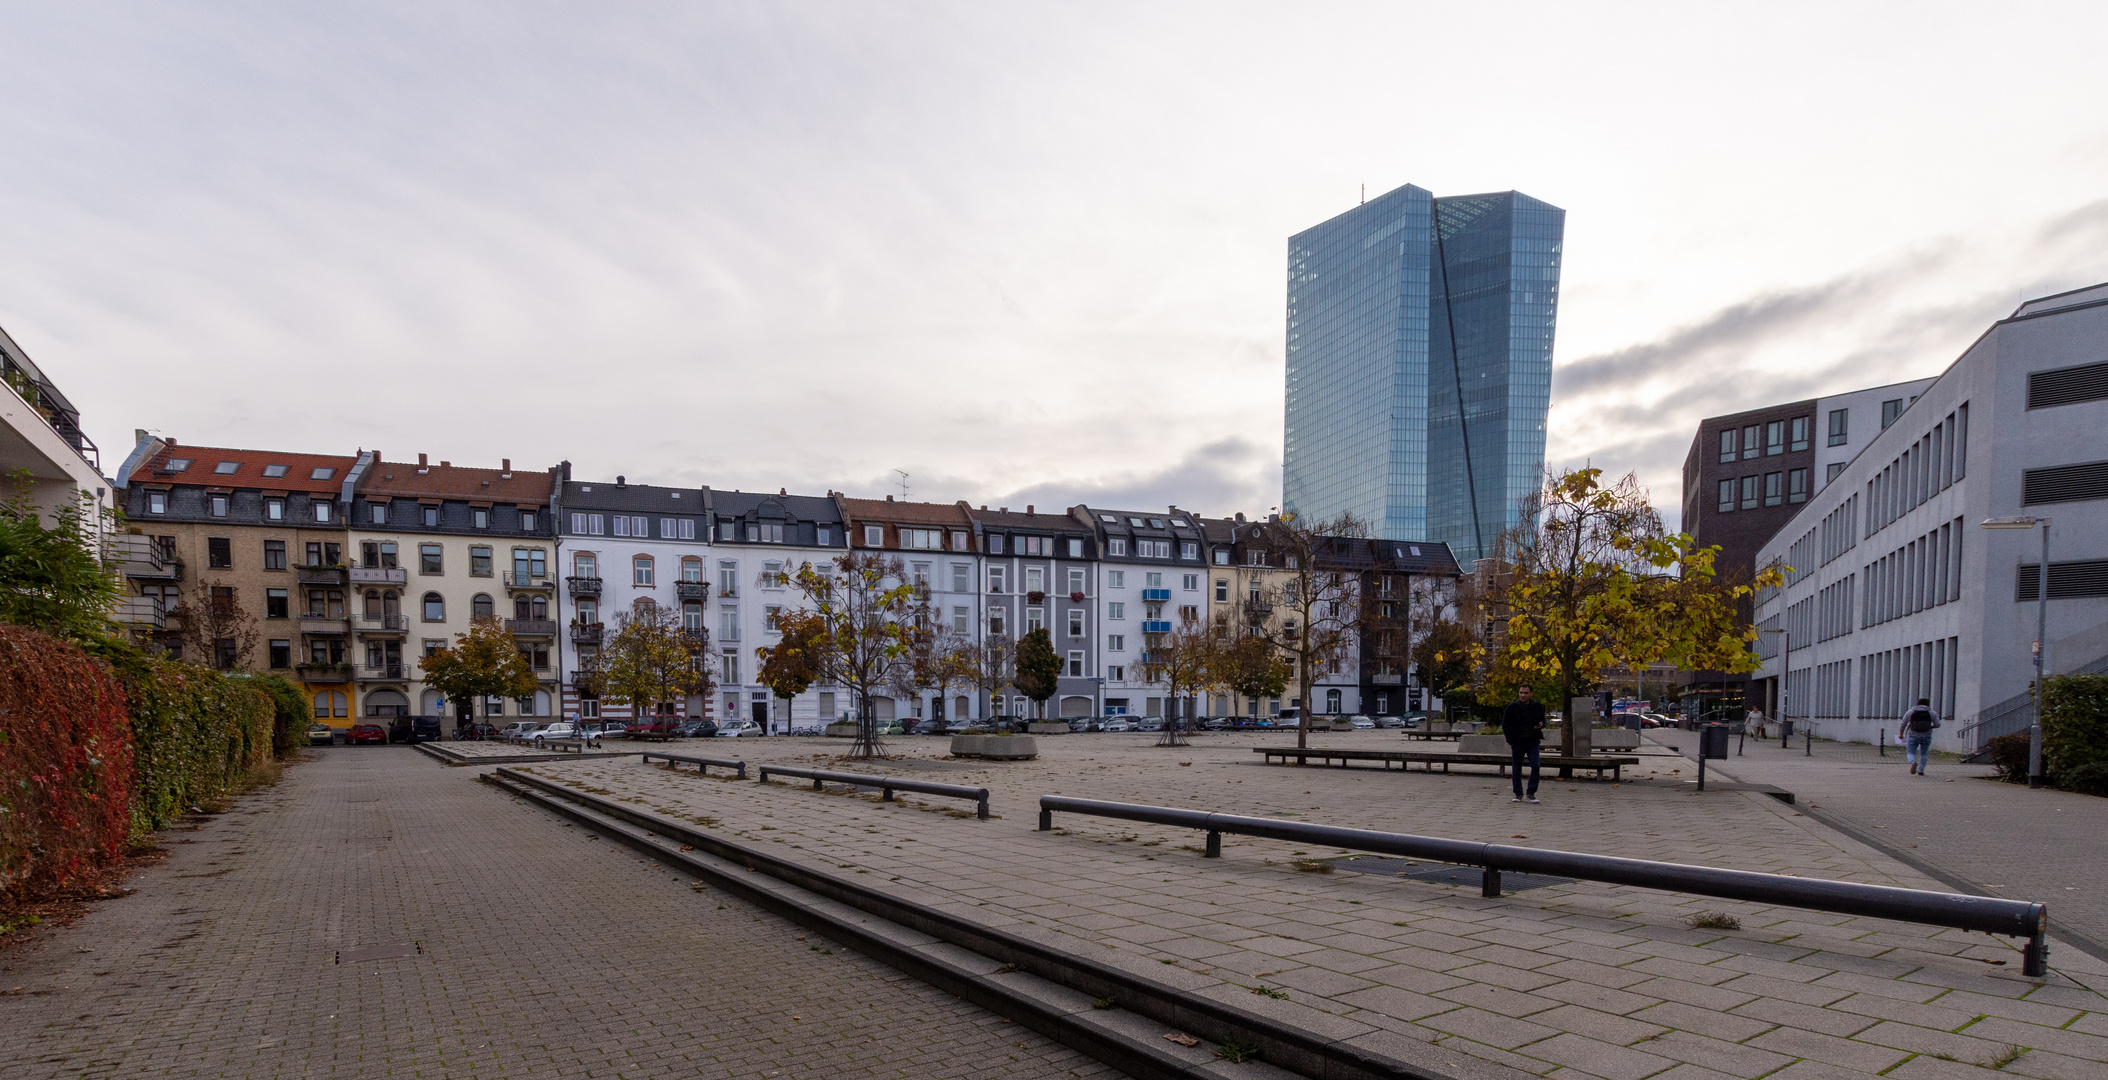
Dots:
(1123, 1037)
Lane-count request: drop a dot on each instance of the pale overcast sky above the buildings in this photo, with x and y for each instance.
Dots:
(1021, 252)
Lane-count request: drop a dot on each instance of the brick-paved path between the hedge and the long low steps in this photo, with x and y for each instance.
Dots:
(380, 917)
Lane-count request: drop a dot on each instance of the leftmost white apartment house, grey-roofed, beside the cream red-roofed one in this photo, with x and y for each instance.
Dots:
(623, 547)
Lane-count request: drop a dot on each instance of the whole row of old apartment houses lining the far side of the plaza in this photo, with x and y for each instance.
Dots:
(351, 568)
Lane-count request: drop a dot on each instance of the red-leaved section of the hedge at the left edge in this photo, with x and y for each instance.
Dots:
(66, 763)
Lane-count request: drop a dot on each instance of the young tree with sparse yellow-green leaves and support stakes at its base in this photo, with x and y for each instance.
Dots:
(867, 630)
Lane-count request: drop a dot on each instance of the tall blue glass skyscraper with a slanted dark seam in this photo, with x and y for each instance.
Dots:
(1420, 364)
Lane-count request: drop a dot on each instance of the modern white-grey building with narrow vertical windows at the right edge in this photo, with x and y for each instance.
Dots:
(1896, 590)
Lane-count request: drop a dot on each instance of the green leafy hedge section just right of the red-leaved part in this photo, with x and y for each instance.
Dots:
(199, 737)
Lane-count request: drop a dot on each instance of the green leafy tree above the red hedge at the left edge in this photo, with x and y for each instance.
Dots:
(56, 579)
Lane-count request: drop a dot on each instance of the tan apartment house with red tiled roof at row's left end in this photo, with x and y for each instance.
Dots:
(250, 543)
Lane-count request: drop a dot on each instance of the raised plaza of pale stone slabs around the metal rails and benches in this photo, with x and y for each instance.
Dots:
(1576, 980)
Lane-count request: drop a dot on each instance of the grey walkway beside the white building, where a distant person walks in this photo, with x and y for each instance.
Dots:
(2002, 841)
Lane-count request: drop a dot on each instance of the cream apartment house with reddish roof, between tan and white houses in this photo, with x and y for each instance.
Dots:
(437, 547)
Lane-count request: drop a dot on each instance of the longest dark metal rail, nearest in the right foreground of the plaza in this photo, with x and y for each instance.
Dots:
(1987, 914)
